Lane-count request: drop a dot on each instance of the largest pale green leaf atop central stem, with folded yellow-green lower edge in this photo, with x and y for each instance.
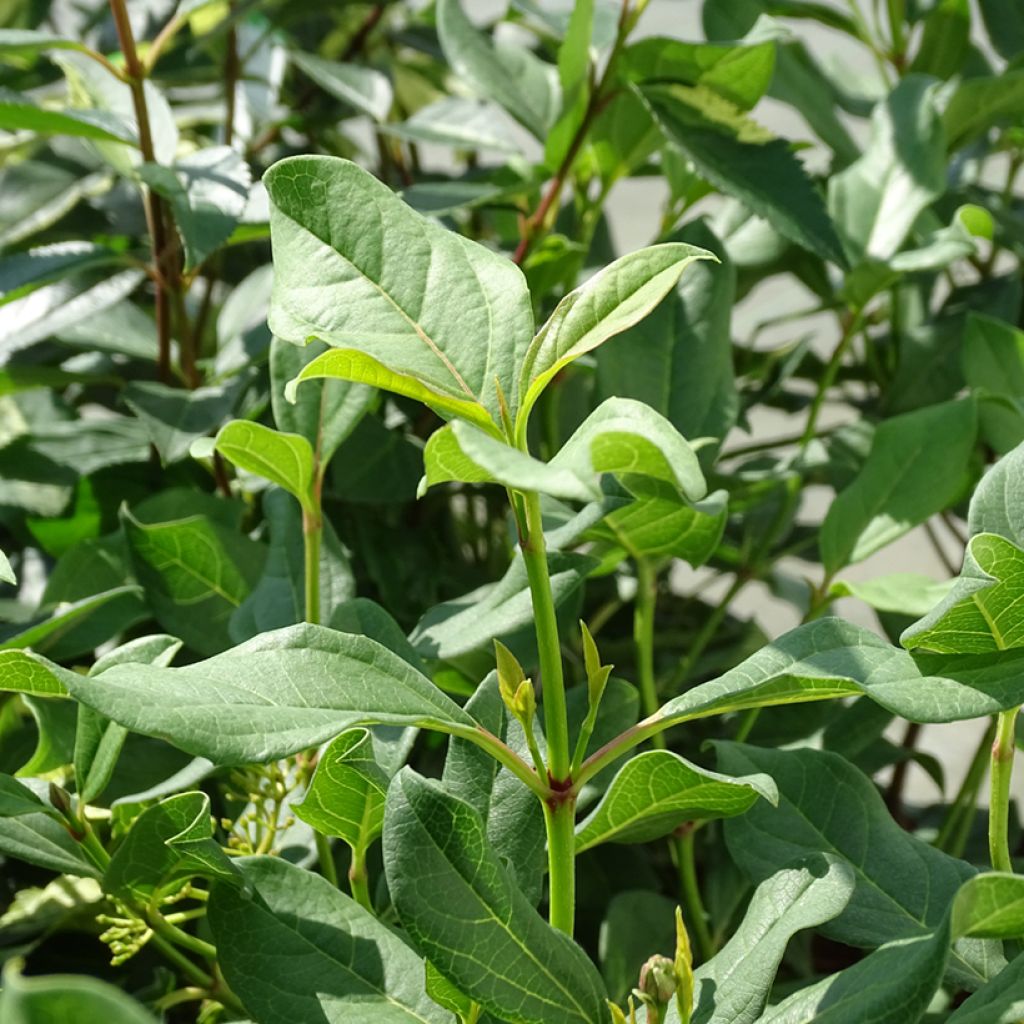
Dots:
(405, 304)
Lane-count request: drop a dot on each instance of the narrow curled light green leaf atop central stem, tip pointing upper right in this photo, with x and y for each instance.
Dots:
(609, 304)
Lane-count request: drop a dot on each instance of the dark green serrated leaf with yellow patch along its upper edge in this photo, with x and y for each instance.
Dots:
(742, 160)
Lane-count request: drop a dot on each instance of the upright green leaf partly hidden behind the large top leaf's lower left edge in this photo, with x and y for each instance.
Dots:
(325, 414)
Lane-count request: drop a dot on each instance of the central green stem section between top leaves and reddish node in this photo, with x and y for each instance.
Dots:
(556, 723)
